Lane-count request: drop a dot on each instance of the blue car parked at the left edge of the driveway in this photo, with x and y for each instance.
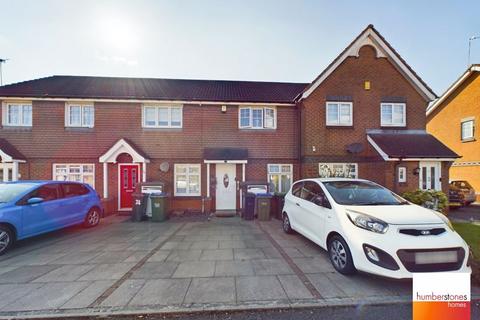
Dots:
(29, 208)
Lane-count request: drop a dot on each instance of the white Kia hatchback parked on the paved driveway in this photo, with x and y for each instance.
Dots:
(367, 227)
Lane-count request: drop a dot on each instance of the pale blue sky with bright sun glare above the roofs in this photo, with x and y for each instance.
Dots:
(262, 40)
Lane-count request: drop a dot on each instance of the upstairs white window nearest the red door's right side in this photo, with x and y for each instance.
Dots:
(162, 117)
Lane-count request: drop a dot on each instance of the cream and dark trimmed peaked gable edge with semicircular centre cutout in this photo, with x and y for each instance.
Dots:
(370, 36)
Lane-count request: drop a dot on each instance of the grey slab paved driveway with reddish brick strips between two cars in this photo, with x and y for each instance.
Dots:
(219, 264)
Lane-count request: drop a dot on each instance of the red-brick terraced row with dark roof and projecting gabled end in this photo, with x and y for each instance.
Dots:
(364, 116)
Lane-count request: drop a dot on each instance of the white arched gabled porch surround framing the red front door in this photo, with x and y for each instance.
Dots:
(110, 156)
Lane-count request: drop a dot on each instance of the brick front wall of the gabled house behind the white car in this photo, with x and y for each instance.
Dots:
(328, 144)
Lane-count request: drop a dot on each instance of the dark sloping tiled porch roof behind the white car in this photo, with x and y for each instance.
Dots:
(409, 145)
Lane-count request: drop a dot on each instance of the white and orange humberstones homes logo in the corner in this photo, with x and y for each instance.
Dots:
(444, 296)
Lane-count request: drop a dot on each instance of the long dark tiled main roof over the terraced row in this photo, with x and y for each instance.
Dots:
(83, 87)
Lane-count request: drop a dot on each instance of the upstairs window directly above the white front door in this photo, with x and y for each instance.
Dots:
(257, 118)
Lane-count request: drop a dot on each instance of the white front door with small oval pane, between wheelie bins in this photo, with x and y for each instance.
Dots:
(226, 194)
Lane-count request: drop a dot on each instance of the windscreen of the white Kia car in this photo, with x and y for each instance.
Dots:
(362, 193)
